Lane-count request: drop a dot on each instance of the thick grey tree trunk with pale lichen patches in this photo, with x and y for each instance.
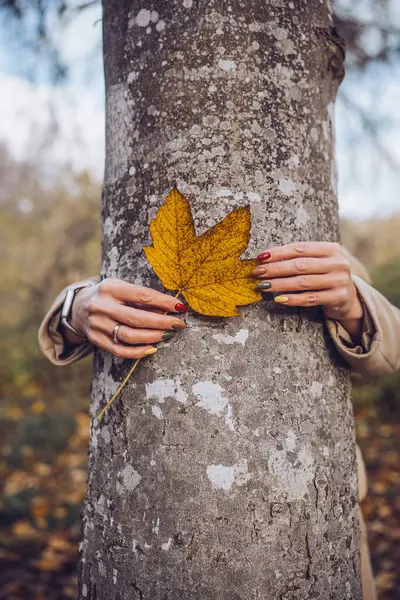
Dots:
(226, 470)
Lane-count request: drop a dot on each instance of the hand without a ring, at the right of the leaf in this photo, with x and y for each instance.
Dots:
(319, 270)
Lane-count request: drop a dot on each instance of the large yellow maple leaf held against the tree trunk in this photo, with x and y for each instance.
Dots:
(207, 269)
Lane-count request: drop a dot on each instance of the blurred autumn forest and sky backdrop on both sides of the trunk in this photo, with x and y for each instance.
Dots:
(51, 162)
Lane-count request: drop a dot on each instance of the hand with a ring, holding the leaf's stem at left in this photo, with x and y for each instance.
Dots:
(139, 311)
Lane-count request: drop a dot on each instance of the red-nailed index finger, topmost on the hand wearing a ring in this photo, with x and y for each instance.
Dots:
(132, 293)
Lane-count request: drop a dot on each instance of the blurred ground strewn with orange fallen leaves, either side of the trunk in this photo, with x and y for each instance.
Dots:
(40, 529)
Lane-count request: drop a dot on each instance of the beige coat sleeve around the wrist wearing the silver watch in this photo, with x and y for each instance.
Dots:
(52, 343)
